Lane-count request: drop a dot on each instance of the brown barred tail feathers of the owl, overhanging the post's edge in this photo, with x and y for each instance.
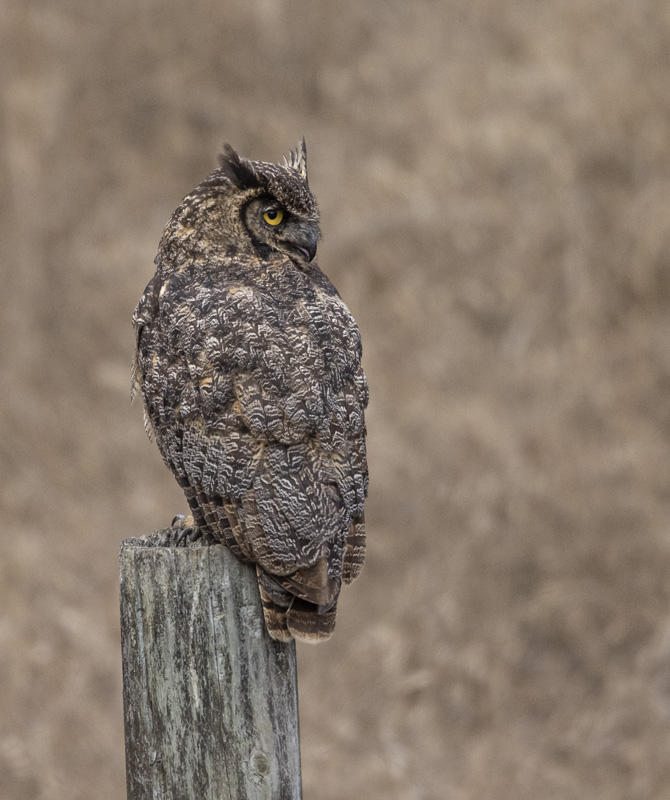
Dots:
(288, 615)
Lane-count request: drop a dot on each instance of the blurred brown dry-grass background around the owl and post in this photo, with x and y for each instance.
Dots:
(494, 180)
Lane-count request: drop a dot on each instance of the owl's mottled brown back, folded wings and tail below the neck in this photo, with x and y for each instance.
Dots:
(259, 413)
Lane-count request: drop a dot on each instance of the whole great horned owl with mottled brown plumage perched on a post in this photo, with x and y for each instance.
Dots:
(250, 368)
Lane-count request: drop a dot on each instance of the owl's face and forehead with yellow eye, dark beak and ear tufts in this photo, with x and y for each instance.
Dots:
(277, 208)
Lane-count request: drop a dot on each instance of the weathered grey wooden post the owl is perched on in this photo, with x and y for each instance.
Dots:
(210, 700)
